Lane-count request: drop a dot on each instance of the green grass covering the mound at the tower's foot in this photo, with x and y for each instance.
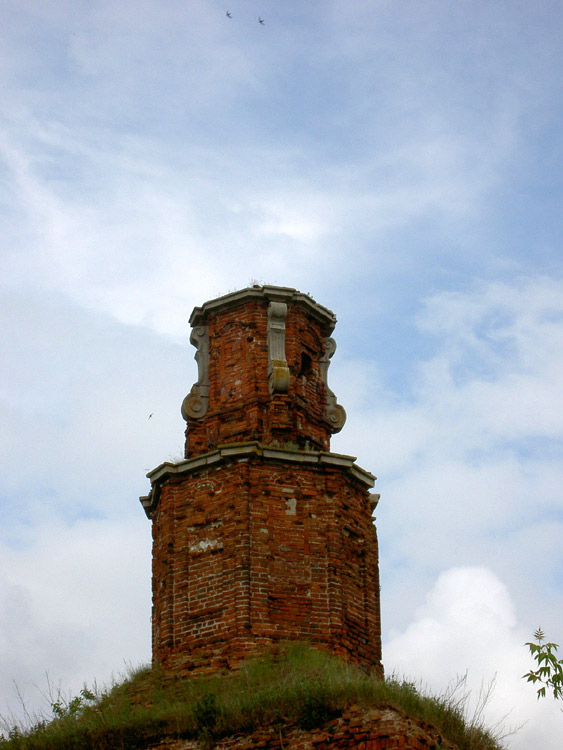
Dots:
(291, 684)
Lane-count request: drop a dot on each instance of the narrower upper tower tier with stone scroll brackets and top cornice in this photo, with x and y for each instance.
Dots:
(263, 355)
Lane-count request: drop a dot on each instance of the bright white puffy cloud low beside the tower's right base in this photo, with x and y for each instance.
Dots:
(467, 625)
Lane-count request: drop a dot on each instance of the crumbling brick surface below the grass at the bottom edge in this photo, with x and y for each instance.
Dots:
(373, 729)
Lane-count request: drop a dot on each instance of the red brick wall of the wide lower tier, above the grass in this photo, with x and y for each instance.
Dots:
(254, 551)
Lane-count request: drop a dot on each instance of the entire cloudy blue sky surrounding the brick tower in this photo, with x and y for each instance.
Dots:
(401, 162)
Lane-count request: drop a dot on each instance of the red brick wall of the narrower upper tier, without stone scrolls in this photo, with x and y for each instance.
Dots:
(241, 407)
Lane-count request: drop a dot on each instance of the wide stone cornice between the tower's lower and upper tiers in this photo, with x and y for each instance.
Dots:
(245, 451)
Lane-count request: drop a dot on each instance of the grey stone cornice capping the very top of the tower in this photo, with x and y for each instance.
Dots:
(271, 294)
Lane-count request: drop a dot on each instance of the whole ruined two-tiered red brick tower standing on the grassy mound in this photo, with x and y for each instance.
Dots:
(262, 534)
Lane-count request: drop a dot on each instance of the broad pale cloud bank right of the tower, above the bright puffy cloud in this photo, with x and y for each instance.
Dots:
(467, 449)
